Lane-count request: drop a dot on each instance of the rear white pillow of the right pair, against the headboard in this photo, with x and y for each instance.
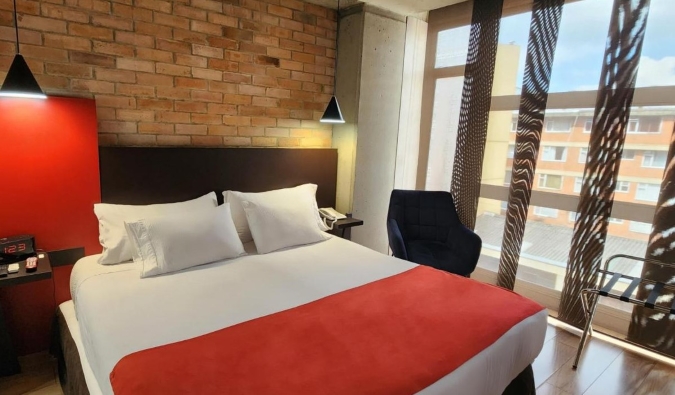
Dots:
(305, 193)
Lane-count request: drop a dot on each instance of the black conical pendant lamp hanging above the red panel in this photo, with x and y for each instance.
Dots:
(20, 81)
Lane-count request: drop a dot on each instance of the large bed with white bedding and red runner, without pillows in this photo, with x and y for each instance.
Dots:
(117, 324)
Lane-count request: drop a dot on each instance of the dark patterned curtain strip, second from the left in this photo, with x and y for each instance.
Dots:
(546, 15)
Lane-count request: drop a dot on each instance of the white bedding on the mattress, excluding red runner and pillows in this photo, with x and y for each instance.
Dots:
(119, 313)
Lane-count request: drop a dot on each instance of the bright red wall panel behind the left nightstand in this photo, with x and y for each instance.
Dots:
(49, 183)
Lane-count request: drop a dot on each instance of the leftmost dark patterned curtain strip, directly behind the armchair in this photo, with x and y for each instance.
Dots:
(475, 109)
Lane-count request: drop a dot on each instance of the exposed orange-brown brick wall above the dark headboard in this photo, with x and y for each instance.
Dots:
(184, 72)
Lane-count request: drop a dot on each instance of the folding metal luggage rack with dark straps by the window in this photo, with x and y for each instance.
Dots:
(590, 296)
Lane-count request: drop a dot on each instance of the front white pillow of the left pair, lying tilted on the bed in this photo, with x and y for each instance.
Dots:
(182, 240)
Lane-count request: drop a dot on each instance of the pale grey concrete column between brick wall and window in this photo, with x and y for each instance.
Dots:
(369, 83)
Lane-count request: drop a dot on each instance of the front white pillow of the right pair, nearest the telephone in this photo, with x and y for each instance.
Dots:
(277, 224)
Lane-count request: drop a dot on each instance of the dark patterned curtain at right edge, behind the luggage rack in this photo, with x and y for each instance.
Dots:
(649, 328)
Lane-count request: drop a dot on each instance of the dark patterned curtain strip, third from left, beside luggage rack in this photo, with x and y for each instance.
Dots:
(612, 111)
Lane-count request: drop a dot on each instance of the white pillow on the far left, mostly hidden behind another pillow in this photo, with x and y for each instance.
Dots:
(111, 218)
